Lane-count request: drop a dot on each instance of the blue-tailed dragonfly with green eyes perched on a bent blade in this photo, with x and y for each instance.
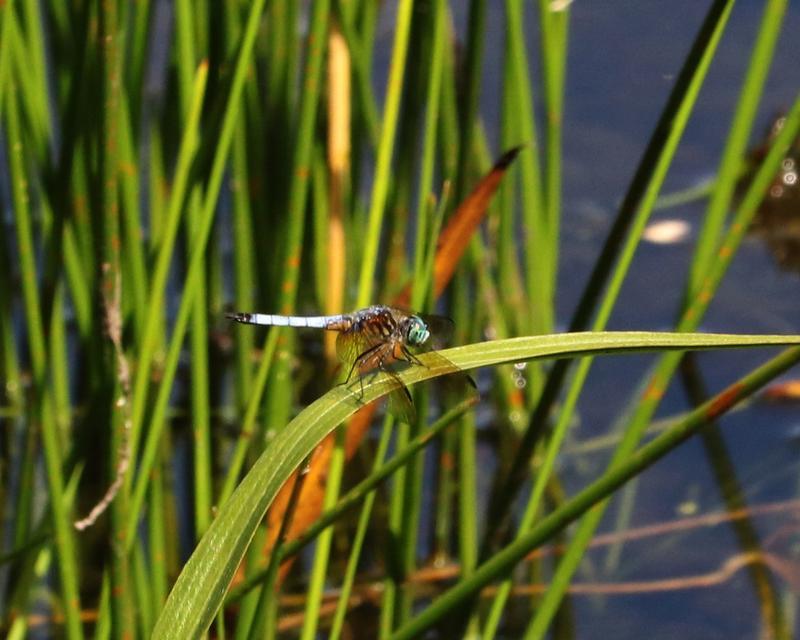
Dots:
(375, 339)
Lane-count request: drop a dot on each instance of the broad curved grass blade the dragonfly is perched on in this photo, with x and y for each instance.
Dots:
(201, 587)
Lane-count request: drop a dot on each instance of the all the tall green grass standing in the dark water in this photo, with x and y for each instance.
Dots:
(137, 222)
